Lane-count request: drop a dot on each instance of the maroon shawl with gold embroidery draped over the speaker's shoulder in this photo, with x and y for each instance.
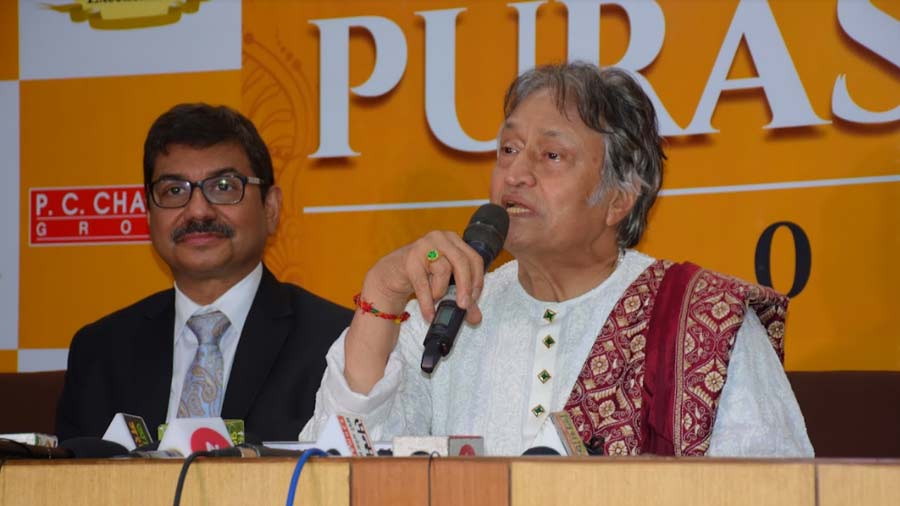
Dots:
(652, 380)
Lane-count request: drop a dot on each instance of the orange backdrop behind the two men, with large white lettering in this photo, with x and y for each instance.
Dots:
(842, 318)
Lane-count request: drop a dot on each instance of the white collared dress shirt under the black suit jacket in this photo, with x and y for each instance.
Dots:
(235, 304)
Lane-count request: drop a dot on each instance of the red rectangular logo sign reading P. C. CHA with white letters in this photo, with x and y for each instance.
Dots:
(92, 215)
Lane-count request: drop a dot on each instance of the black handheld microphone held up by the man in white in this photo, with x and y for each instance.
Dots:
(485, 234)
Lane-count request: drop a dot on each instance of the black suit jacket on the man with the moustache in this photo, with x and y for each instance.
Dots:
(123, 363)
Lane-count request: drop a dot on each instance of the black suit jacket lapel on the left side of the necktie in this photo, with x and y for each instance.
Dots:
(152, 360)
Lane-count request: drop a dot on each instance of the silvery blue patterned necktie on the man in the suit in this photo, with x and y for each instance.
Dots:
(203, 390)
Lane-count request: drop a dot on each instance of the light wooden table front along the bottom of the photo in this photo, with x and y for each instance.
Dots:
(522, 481)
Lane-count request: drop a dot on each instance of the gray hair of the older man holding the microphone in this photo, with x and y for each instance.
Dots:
(612, 103)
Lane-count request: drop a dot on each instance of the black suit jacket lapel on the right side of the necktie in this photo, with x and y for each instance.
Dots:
(261, 341)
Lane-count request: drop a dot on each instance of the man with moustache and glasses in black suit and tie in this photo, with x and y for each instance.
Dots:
(229, 339)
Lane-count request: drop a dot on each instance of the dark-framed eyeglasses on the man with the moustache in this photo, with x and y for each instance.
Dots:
(227, 189)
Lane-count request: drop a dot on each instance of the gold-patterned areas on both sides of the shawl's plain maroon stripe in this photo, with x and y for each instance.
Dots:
(606, 400)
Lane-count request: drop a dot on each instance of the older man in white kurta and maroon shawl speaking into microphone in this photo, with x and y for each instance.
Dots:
(645, 355)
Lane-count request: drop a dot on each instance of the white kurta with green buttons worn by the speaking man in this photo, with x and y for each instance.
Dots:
(492, 380)
